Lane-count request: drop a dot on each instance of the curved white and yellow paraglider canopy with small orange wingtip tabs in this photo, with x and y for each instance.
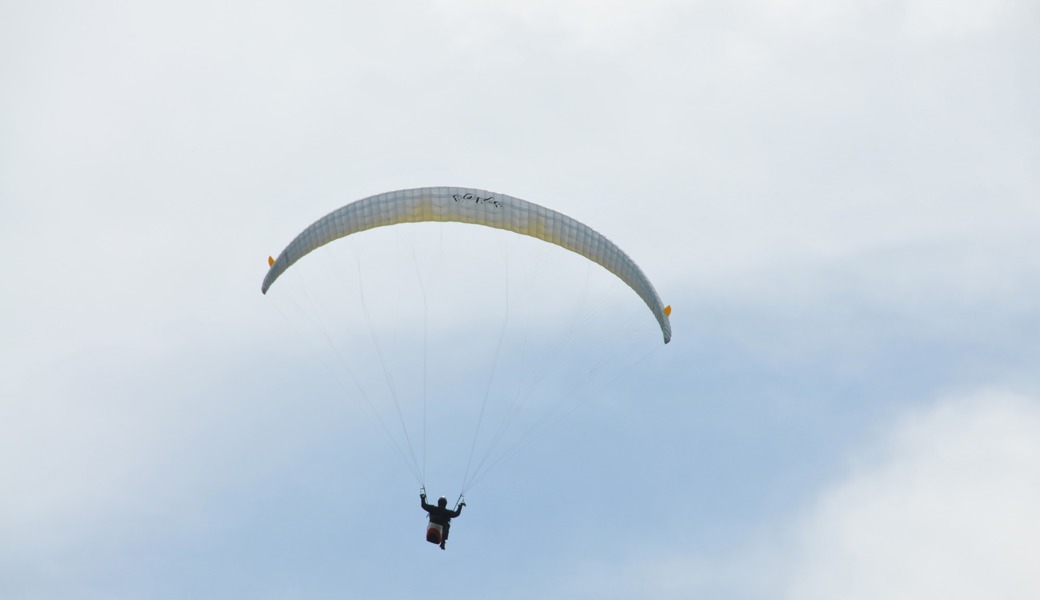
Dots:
(480, 207)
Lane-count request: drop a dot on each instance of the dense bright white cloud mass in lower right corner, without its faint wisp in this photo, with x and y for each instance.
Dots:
(946, 509)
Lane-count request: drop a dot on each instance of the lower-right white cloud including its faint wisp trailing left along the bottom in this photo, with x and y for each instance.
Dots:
(943, 506)
